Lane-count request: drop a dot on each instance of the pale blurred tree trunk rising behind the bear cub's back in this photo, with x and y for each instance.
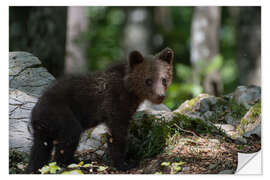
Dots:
(76, 25)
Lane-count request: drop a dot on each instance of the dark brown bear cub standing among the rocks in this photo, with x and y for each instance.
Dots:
(74, 104)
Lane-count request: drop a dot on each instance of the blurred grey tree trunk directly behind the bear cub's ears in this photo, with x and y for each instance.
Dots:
(138, 30)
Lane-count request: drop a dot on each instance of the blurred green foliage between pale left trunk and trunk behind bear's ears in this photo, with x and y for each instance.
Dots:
(104, 36)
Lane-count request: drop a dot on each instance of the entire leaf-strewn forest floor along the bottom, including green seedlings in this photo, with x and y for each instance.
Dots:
(185, 154)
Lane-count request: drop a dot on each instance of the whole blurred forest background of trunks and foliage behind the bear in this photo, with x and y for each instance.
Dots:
(216, 48)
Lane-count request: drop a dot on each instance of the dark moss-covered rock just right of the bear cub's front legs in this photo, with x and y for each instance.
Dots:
(150, 133)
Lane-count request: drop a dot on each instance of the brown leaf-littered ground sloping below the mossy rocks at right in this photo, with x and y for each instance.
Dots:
(191, 155)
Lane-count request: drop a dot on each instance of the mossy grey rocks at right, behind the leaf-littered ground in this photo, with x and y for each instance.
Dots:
(238, 114)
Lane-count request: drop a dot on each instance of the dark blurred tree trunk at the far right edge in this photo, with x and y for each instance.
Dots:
(249, 45)
